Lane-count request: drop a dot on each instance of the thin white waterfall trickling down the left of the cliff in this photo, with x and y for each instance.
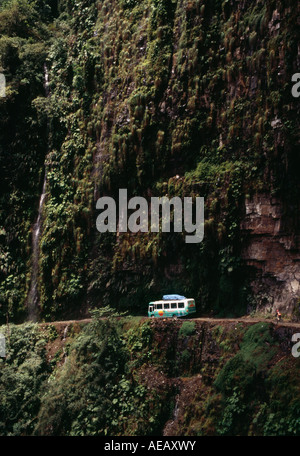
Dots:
(33, 296)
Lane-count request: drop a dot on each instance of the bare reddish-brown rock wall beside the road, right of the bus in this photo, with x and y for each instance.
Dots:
(273, 253)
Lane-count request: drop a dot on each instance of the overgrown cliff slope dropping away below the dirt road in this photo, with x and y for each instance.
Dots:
(131, 377)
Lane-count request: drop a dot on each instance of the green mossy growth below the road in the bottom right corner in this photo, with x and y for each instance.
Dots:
(247, 384)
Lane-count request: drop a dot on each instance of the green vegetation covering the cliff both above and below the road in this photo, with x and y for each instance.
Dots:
(164, 98)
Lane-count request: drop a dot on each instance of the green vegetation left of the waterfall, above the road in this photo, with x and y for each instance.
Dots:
(23, 50)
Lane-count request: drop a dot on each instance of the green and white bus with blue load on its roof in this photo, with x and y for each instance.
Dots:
(172, 308)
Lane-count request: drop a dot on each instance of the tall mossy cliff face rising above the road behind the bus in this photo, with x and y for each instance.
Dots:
(176, 98)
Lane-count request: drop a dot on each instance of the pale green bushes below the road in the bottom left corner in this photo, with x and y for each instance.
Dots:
(22, 374)
